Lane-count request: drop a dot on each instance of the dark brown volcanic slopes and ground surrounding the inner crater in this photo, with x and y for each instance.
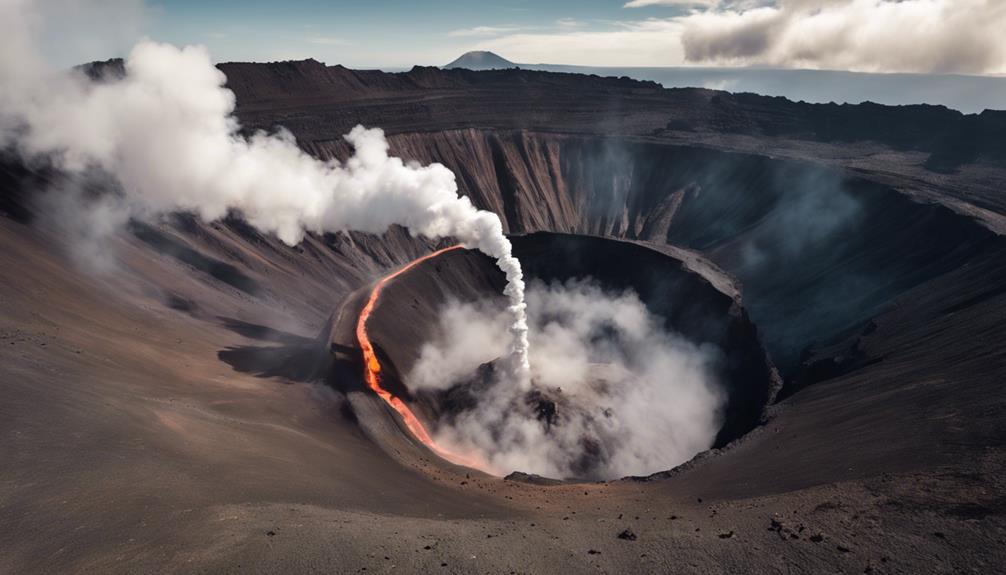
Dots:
(174, 415)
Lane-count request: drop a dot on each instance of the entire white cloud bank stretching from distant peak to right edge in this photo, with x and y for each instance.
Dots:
(963, 37)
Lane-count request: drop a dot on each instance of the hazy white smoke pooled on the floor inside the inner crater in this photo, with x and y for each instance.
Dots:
(633, 399)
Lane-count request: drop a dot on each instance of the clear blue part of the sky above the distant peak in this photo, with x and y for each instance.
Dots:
(379, 33)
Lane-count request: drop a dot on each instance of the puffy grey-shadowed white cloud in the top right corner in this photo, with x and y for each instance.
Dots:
(865, 36)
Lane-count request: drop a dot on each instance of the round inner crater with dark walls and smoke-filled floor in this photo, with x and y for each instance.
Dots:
(642, 358)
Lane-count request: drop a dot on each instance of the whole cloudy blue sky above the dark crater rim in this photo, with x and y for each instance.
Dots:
(918, 37)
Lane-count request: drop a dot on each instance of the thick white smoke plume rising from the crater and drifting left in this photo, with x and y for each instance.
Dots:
(166, 132)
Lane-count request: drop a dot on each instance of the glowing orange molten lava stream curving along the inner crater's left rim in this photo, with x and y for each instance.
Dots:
(372, 368)
